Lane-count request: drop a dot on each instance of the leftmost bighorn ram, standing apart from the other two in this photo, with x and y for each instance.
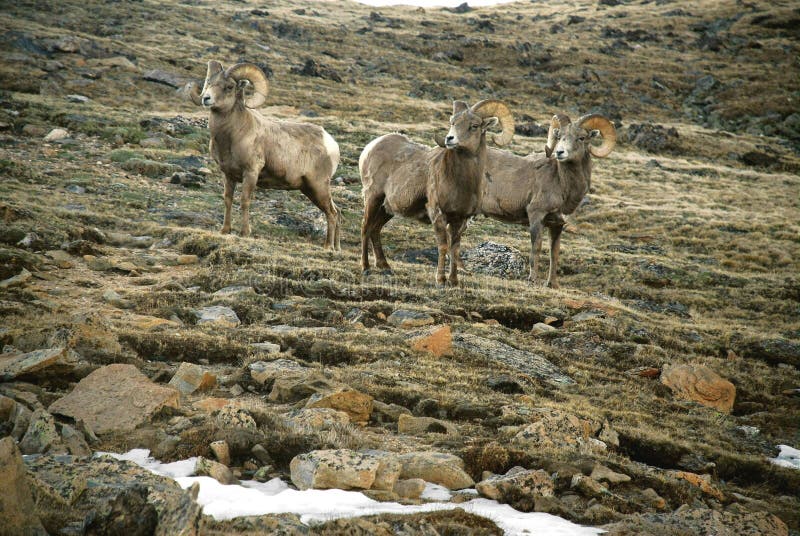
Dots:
(258, 151)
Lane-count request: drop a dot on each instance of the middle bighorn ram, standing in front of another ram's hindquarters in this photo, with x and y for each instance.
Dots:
(442, 184)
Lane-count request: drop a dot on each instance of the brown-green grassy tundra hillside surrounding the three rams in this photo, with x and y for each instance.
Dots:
(684, 252)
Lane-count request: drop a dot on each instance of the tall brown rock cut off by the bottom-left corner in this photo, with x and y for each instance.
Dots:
(16, 502)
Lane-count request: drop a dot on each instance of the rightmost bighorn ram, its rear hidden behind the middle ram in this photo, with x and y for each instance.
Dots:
(538, 191)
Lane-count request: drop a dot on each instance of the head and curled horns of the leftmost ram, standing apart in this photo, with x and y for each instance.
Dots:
(224, 88)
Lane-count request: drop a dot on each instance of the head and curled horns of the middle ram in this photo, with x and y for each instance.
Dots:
(468, 125)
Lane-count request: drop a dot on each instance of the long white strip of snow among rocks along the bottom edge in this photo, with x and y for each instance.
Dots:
(313, 506)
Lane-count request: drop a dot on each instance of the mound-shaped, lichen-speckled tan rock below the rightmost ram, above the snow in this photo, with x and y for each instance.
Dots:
(557, 429)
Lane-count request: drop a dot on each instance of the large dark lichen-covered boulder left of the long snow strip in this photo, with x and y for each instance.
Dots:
(101, 488)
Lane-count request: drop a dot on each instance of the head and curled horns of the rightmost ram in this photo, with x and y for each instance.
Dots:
(571, 141)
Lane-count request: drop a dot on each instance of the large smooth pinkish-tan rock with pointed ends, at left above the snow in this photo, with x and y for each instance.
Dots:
(115, 398)
